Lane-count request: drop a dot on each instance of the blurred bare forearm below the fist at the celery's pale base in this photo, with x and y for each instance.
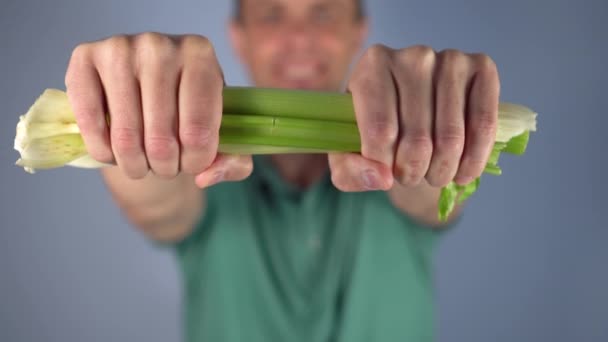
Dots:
(164, 210)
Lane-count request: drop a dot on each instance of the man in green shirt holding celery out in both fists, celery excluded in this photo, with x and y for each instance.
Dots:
(302, 247)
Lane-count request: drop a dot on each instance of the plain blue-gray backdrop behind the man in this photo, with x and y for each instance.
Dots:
(529, 261)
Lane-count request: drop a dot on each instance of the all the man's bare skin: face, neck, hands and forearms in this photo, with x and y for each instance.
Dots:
(425, 117)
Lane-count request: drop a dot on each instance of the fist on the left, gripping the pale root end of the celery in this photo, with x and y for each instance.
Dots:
(163, 95)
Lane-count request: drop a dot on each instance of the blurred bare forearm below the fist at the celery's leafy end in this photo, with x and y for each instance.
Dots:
(420, 203)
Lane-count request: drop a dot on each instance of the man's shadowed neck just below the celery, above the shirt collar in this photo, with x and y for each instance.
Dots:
(302, 170)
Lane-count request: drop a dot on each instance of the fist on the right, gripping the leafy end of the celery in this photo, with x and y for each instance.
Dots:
(423, 117)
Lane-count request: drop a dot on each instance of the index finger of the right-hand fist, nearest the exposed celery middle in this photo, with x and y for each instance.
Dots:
(375, 103)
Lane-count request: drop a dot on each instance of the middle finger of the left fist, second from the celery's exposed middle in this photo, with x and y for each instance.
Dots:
(158, 76)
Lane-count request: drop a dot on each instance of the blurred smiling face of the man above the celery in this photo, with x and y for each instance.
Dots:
(303, 44)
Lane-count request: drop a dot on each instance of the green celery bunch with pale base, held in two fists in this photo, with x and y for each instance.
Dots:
(256, 121)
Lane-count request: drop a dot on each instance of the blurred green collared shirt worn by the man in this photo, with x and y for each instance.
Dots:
(270, 262)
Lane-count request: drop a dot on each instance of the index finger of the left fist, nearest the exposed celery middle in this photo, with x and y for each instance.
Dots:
(200, 104)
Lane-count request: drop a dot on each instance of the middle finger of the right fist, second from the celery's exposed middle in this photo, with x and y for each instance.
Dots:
(416, 107)
